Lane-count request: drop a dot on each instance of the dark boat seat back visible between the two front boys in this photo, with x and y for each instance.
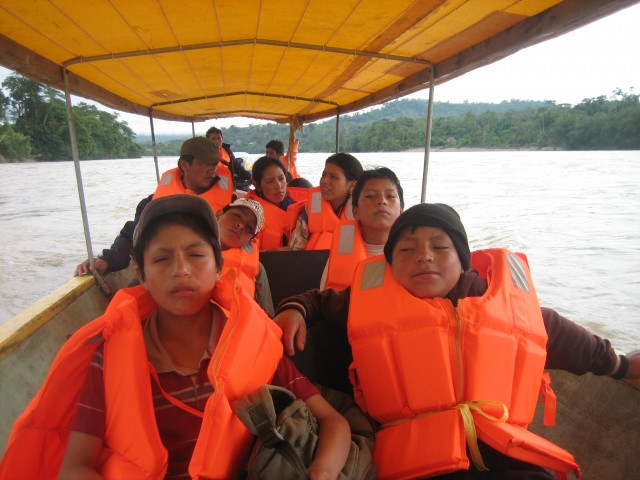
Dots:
(327, 354)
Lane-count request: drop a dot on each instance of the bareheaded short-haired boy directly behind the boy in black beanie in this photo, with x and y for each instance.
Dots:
(377, 201)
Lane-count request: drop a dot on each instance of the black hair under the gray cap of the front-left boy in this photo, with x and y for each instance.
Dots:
(193, 222)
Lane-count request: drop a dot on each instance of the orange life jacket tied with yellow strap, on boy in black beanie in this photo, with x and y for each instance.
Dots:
(435, 375)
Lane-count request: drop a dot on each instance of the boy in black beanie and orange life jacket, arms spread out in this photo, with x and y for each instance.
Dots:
(460, 344)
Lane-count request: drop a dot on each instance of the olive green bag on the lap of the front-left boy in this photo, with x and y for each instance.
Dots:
(288, 433)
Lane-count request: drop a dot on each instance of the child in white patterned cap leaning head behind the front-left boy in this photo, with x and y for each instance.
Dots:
(239, 223)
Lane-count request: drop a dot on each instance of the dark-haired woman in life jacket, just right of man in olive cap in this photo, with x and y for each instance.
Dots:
(269, 179)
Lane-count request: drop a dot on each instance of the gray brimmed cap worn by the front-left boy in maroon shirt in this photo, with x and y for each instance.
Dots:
(180, 203)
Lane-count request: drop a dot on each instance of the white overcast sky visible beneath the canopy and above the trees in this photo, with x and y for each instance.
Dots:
(589, 62)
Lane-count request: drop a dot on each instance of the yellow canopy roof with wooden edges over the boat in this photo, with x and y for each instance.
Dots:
(270, 59)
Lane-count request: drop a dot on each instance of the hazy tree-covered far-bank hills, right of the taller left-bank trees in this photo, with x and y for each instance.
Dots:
(599, 123)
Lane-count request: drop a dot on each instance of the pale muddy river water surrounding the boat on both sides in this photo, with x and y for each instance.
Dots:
(575, 215)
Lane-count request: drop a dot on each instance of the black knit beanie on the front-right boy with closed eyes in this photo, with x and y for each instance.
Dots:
(436, 215)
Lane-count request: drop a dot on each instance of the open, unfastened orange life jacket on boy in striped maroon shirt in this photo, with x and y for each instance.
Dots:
(245, 357)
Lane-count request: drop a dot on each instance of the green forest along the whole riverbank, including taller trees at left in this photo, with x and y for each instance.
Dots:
(33, 125)
